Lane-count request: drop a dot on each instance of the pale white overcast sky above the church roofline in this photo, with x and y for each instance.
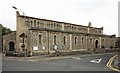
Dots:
(101, 13)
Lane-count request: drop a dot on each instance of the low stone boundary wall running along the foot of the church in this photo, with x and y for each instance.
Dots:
(21, 54)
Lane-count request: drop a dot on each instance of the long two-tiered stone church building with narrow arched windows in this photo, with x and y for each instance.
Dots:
(45, 34)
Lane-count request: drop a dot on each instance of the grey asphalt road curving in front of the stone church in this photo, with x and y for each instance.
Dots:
(73, 63)
